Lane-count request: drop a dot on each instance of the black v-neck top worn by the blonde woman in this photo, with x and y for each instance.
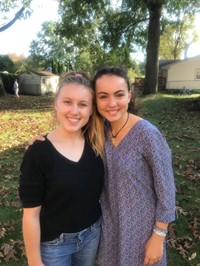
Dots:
(68, 191)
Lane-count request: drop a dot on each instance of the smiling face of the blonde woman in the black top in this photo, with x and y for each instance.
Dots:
(74, 106)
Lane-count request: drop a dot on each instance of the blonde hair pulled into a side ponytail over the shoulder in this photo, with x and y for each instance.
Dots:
(93, 131)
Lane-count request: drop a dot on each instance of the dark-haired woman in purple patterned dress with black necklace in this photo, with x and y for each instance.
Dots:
(138, 199)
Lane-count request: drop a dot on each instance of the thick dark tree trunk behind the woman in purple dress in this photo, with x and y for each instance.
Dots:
(151, 72)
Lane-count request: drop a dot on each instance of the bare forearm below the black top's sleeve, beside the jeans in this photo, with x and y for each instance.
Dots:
(31, 234)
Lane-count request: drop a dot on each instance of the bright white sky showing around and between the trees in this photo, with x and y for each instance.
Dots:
(18, 37)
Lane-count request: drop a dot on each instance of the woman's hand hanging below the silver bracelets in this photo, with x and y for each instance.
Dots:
(153, 250)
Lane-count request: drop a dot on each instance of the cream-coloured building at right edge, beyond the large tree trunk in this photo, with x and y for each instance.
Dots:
(183, 74)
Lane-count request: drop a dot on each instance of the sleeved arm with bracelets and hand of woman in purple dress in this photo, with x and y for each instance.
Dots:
(160, 161)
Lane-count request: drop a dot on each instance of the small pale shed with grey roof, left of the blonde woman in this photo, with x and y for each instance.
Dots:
(38, 83)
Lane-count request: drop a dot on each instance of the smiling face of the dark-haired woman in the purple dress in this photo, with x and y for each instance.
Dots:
(112, 97)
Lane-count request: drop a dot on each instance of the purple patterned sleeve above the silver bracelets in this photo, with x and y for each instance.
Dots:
(160, 160)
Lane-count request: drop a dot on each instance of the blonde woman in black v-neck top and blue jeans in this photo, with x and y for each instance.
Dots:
(61, 182)
